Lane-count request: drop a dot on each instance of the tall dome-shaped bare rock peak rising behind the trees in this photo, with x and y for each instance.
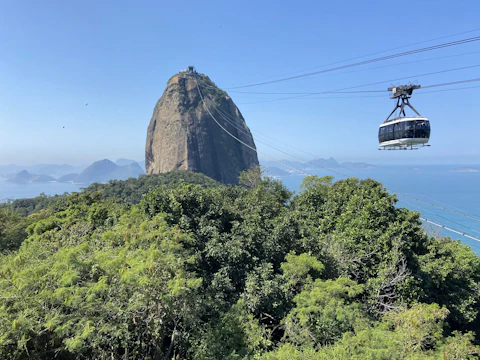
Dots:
(182, 135)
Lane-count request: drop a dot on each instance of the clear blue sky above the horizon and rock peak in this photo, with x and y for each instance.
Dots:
(57, 56)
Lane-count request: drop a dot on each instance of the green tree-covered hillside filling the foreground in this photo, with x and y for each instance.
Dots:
(163, 268)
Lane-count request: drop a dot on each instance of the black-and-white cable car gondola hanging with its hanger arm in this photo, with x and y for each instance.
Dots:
(404, 132)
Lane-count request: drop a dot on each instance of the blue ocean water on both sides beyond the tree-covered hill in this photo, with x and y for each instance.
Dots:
(441, 185)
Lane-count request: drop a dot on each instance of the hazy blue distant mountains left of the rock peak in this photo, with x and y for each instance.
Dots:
(100, 171)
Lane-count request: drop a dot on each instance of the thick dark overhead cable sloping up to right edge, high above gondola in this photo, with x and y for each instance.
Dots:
(388, 57)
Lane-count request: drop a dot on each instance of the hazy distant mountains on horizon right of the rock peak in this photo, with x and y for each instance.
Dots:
(274, 168)
